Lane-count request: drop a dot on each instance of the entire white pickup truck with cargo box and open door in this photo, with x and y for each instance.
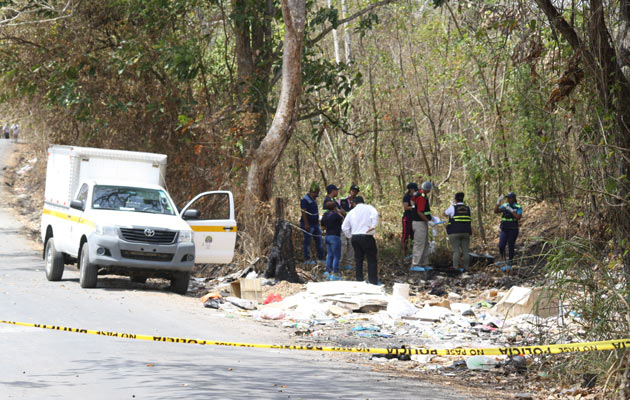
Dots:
(108, 211)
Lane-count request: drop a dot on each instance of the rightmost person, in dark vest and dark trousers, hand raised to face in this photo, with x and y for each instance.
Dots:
(511, 213)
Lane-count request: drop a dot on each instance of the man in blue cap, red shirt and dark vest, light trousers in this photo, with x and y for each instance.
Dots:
(421, 223)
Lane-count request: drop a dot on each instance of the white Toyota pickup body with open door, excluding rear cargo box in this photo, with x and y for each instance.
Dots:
(127, 227)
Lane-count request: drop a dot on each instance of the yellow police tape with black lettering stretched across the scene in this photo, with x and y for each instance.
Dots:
(618, 344)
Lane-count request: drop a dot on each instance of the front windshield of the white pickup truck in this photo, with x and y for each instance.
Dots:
(135, 199)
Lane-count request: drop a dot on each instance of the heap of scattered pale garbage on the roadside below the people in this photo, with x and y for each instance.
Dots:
(348, 313)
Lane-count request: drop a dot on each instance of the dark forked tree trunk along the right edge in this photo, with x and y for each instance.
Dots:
(606, 67)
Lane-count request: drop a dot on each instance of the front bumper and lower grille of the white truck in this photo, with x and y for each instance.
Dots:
(106, 251)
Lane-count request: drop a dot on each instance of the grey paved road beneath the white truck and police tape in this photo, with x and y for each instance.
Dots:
(43, 364)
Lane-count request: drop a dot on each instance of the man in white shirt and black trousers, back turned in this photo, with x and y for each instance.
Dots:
(360, 225)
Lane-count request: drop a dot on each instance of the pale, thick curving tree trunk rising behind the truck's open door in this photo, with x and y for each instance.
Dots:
(267, 156)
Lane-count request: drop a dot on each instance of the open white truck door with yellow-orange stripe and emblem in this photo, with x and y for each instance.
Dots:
(211, 217)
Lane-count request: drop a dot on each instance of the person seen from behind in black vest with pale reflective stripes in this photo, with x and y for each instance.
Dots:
(459, 230)
